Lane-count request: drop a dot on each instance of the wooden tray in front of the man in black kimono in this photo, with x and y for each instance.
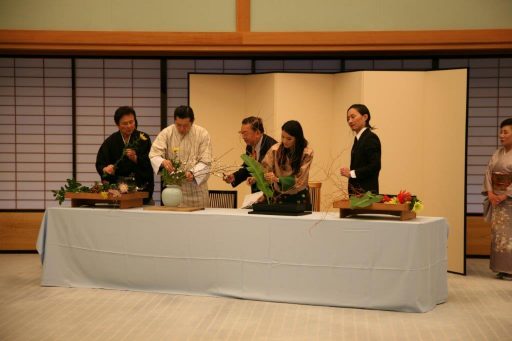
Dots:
(127, 200)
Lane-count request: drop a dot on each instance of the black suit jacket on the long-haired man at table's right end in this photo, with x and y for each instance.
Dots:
(365, 161)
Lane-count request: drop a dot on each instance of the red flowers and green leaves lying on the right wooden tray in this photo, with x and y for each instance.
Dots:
(403, 197)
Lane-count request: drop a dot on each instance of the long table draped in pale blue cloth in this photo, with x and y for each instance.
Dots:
(319, 259)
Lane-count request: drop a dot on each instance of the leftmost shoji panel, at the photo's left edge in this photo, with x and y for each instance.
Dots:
(35, 130)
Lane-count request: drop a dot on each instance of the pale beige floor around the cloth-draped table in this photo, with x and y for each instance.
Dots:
(479, 307)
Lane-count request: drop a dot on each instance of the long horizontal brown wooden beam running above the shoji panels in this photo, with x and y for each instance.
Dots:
(175, 43)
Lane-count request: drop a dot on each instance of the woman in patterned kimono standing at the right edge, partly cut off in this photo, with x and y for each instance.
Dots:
(498, 189)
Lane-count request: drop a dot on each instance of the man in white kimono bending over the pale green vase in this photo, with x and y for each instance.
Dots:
(194, 149)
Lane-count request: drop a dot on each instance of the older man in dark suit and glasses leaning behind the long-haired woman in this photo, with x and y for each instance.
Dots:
(258, 143)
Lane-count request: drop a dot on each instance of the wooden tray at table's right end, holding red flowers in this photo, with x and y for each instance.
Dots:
(400, 210)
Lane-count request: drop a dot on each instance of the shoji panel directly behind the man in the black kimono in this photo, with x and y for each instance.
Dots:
(102, 85)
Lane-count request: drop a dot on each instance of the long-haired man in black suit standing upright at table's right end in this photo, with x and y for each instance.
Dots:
(363, 174)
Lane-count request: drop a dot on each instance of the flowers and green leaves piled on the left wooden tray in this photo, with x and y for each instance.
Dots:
(105, 190)
